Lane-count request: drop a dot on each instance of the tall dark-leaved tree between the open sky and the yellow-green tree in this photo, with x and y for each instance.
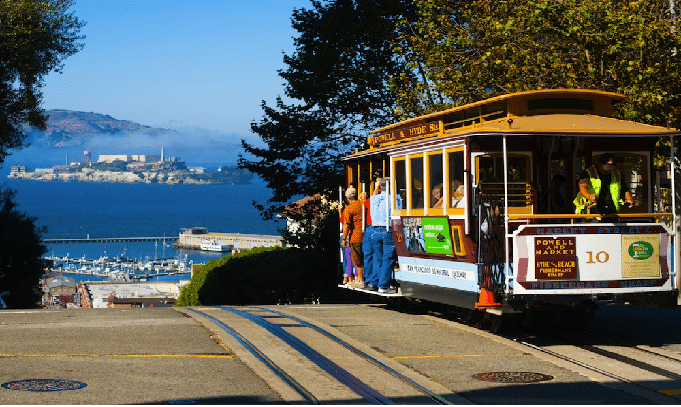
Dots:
(337, 80)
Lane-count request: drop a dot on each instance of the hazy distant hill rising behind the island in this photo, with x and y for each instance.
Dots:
(71, 128)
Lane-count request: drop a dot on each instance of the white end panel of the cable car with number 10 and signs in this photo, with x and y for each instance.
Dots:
(590, 257)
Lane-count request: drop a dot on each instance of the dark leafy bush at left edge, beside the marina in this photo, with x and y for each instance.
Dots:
(21, 251)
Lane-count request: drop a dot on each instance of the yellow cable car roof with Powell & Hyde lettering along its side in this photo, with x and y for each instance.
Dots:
(579, 112)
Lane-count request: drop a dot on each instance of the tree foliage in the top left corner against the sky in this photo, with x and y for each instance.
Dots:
(35, 38)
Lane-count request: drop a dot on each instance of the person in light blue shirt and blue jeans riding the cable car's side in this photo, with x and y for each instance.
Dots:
(382, 239)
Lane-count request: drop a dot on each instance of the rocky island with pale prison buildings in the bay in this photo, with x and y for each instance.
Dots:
(150, 169)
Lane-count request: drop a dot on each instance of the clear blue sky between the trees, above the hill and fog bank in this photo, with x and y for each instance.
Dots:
(204, 64)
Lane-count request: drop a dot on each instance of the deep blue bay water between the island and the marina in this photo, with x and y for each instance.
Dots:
(107, 210)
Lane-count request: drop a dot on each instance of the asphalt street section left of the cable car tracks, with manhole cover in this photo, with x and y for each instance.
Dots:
(124, 356)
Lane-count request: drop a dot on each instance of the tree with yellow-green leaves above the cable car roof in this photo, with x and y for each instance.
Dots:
(463, 51)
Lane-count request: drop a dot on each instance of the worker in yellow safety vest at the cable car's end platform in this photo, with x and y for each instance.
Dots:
(602, 184)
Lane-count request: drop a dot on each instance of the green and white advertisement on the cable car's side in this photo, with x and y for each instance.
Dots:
(427, 235)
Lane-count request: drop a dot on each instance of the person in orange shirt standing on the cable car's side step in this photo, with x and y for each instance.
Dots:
(353, 234)
